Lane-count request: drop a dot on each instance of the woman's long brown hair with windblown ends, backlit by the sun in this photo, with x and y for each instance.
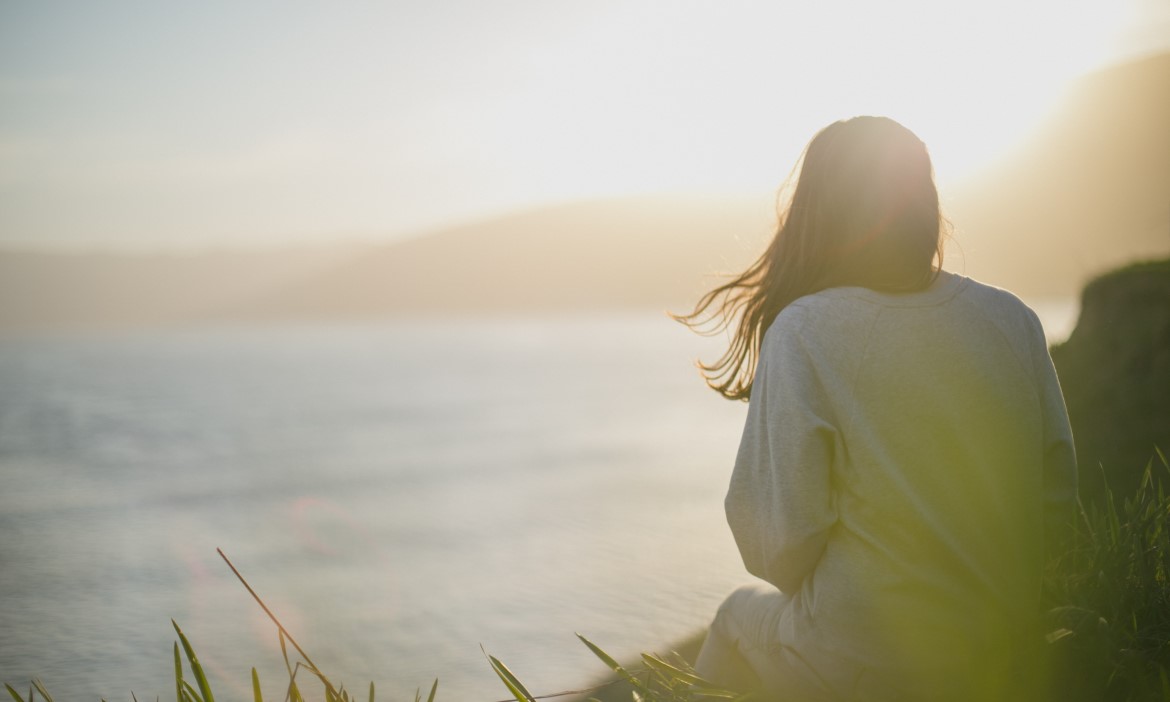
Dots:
(864, 212)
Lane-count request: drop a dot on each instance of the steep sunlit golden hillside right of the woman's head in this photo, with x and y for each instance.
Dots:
(1089, 192)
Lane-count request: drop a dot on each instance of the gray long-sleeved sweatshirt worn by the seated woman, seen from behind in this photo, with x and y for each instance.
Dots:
(904, 458)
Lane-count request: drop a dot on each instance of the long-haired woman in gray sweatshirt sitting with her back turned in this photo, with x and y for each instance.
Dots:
(907, 456)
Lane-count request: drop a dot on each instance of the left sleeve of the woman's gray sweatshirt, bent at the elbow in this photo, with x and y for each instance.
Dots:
(780, 504)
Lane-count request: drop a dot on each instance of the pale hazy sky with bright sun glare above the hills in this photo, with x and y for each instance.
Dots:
(182, 127)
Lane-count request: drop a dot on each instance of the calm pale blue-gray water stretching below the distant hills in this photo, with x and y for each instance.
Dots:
(401, 494)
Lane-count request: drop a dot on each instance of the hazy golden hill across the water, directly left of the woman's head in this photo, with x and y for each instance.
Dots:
(630, 253)
